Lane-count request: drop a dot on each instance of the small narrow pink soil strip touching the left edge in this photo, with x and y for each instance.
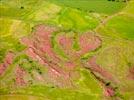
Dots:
(7, 61)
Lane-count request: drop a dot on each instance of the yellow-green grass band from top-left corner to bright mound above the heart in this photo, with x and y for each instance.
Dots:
(38, 12)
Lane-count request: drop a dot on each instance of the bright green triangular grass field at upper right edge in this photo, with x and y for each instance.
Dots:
(120, 25)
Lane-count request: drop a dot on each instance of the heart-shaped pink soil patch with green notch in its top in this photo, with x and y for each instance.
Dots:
(87, 42)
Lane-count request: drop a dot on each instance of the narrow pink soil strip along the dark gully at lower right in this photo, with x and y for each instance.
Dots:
(95, 68)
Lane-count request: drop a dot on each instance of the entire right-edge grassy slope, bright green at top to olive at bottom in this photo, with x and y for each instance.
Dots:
(116, 54)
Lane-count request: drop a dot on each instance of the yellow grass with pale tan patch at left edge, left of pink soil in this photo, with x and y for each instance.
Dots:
(10, 33)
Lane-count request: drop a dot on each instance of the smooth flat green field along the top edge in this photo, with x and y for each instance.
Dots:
(100, 6)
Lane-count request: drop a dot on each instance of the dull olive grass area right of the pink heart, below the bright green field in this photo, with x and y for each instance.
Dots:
(116, 57)
